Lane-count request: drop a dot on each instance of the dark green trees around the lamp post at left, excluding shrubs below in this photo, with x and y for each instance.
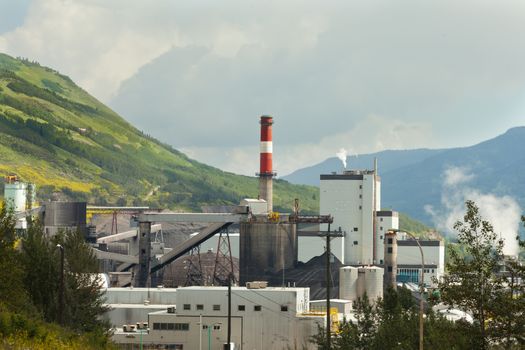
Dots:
(83, 296)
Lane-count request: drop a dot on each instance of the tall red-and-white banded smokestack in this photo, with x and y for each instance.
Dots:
(266, 168)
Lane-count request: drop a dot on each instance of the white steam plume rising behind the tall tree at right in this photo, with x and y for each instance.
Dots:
(503, 212)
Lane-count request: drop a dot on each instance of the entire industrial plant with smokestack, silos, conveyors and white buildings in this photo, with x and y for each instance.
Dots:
(266, 281)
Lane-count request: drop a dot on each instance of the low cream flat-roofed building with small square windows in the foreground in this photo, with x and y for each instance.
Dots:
(262, 318)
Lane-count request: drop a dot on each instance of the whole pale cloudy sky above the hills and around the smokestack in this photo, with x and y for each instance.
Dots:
(360, 75)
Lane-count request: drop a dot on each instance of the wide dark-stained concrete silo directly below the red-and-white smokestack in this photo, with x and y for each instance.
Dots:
(266, 248)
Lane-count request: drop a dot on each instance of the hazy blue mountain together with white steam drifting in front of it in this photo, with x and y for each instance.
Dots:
(432, 185)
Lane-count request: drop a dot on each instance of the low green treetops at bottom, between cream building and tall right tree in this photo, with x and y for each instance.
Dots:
(393, 323)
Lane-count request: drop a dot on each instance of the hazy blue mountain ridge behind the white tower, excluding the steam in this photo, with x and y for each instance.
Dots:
(494, 166)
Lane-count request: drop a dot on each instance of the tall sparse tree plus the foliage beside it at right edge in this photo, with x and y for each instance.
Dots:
(473, 282)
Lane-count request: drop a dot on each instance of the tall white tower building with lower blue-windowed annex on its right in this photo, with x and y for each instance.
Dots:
(354, 200)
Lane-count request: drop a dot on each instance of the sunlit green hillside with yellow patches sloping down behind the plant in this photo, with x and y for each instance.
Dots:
(56, 135)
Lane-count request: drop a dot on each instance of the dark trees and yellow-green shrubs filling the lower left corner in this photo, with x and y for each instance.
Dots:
(30, 288)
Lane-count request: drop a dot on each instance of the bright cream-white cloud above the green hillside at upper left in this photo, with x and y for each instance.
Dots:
(99, 44)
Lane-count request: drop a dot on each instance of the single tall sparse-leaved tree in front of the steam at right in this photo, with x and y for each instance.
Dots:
(471, 282)
